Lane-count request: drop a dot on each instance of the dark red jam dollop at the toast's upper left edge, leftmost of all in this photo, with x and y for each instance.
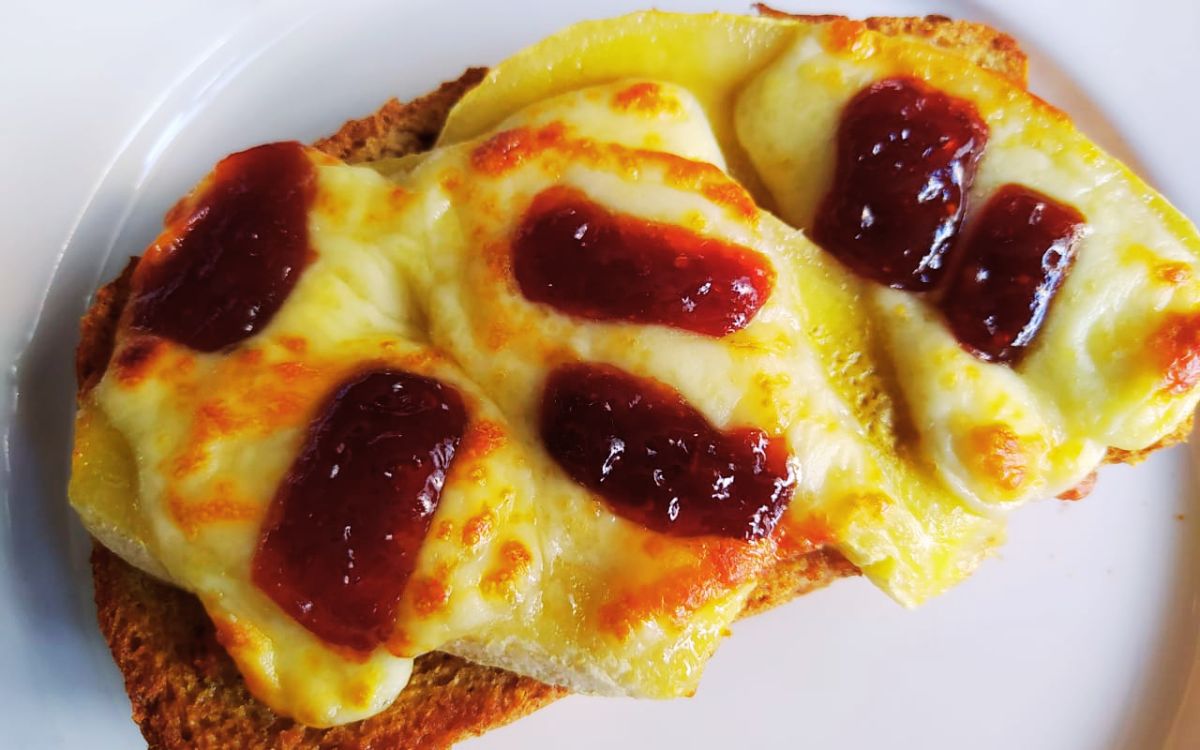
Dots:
(239, 254)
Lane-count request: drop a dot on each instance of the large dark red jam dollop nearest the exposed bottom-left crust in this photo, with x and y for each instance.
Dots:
(346, 526)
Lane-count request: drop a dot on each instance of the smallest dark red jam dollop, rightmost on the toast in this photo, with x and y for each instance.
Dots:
(1015, 261)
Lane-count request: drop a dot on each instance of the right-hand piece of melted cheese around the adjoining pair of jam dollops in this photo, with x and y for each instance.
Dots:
(999, 435)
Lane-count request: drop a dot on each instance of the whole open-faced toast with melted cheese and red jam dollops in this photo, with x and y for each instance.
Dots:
(537, 383)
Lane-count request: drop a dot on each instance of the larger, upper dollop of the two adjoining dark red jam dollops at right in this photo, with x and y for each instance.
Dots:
(907, 158)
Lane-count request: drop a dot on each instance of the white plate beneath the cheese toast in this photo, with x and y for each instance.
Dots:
(1081, 635)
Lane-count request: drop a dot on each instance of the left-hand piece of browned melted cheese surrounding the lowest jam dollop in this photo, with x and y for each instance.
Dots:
(213, 435)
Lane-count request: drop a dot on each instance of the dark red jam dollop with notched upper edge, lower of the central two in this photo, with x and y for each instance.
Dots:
(656, 460)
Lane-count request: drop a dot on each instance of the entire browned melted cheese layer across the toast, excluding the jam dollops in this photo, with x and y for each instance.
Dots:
(905, 447)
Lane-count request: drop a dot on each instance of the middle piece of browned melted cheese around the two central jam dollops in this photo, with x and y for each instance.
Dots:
(619, 601)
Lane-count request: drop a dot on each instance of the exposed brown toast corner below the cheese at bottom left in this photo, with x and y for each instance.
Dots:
(187, 692)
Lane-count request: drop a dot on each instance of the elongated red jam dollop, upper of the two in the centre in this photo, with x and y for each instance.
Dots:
(584, 260)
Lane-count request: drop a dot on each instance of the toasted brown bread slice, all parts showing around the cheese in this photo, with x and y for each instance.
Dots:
(184, 688)
